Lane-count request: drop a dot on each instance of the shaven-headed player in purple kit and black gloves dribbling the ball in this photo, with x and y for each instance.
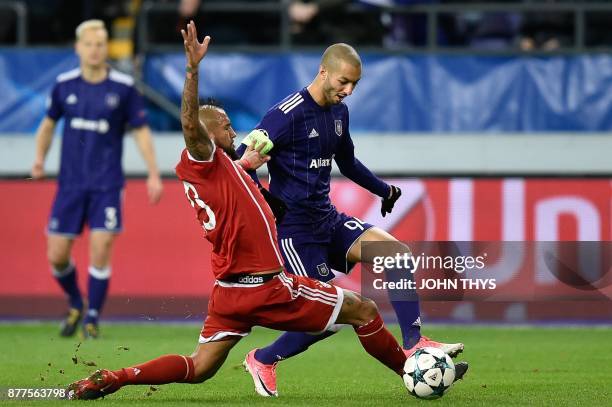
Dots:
(309, 129)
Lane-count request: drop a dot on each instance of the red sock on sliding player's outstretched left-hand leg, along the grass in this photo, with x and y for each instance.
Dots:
(164, 369)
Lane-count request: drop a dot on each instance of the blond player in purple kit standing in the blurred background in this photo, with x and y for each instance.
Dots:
(97, 103)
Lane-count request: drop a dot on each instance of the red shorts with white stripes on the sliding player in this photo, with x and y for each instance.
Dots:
(286, 303)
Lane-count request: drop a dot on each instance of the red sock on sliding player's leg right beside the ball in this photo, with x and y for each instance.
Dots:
(379, 342)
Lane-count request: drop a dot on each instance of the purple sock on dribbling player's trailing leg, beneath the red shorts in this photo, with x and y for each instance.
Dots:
(287, 345)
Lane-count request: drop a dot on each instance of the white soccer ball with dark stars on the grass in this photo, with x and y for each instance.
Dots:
(429, 373)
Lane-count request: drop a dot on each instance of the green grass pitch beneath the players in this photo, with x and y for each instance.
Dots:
(508, 366)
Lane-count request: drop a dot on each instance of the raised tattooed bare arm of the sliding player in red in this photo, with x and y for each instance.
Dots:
(197, 141)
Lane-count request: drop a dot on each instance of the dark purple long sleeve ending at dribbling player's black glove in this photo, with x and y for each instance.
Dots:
(354, 170)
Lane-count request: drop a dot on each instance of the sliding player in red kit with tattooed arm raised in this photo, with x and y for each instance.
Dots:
(251, 287)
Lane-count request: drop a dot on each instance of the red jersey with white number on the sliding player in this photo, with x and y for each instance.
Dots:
(233, 214)
